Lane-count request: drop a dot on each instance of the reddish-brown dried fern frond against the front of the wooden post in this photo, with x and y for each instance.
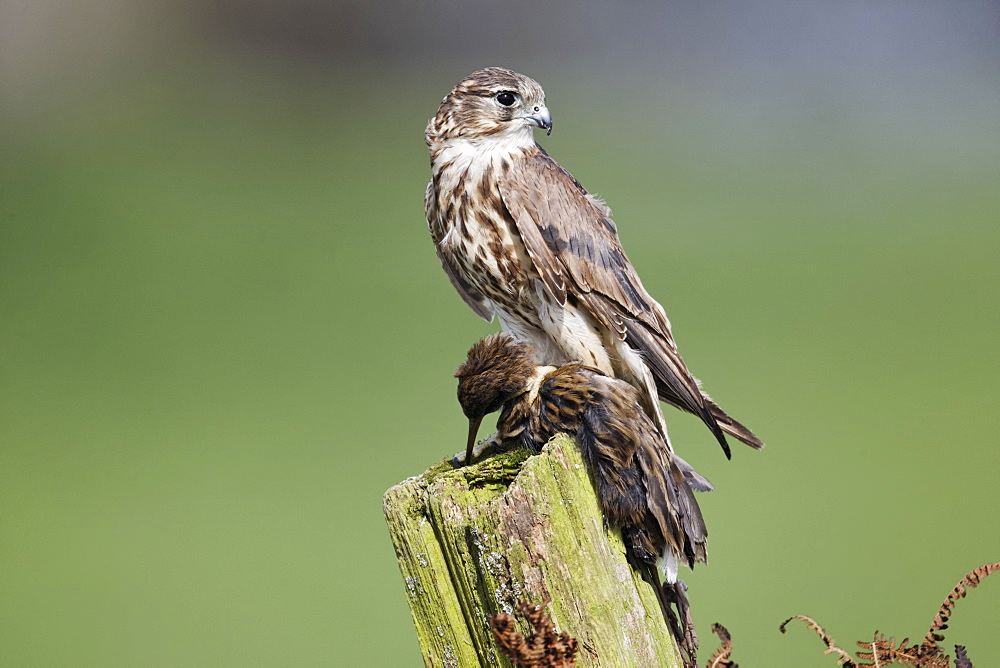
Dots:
(545, 647)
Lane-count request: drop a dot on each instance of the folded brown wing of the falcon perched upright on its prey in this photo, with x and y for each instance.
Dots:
(570, 237)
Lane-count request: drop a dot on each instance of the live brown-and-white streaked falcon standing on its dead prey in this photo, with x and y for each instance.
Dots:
(522, 240)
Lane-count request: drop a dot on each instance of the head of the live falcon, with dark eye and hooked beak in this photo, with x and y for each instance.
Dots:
(492, 102)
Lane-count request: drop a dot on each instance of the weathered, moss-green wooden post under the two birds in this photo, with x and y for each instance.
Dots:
(475, 541)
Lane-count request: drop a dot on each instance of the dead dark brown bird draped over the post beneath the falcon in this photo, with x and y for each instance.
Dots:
(642, 487)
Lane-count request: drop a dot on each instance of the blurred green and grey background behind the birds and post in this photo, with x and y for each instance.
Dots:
(225, 332)
